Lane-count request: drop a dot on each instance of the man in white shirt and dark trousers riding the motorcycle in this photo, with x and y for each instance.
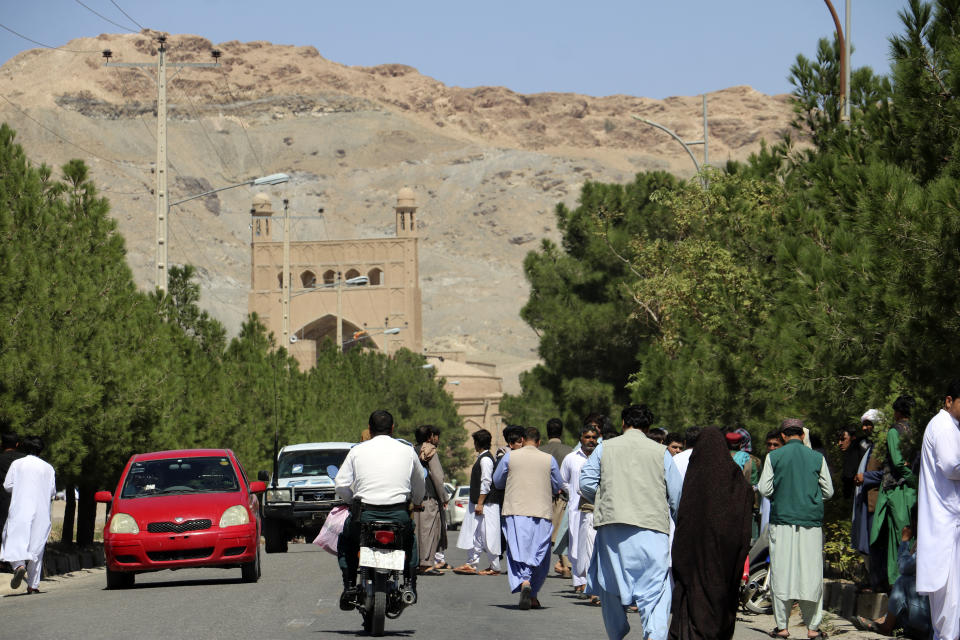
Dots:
(385, 475)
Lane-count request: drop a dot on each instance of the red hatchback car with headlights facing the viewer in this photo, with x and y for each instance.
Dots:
(179, 509)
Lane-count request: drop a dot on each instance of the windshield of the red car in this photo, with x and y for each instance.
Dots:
(175, 476)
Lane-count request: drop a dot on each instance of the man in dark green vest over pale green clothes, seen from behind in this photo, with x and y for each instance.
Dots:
(797, 481)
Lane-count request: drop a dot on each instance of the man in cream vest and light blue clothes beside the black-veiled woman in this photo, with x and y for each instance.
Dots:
(635, 488)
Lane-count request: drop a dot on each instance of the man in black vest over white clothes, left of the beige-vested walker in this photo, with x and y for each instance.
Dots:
(480, 530)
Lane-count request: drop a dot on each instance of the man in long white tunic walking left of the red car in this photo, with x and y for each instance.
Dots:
(31, 482)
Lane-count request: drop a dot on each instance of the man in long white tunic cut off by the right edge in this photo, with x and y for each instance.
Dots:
(938, 515)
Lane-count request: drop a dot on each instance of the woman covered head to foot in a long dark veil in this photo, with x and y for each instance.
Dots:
(711, 542)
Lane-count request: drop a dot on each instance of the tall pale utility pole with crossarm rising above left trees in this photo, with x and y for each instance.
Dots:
(163, 208)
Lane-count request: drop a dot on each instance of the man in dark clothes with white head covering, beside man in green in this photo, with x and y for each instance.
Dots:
(867, 481)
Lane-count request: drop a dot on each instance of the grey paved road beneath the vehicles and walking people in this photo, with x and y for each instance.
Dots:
(296, 598)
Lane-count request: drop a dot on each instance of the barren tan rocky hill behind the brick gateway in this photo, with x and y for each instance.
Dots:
(488, 165)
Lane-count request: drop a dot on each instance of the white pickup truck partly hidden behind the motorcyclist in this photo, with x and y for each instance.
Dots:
(303, 495)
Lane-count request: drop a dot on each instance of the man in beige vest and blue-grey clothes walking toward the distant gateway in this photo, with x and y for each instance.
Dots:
(530, 479)
